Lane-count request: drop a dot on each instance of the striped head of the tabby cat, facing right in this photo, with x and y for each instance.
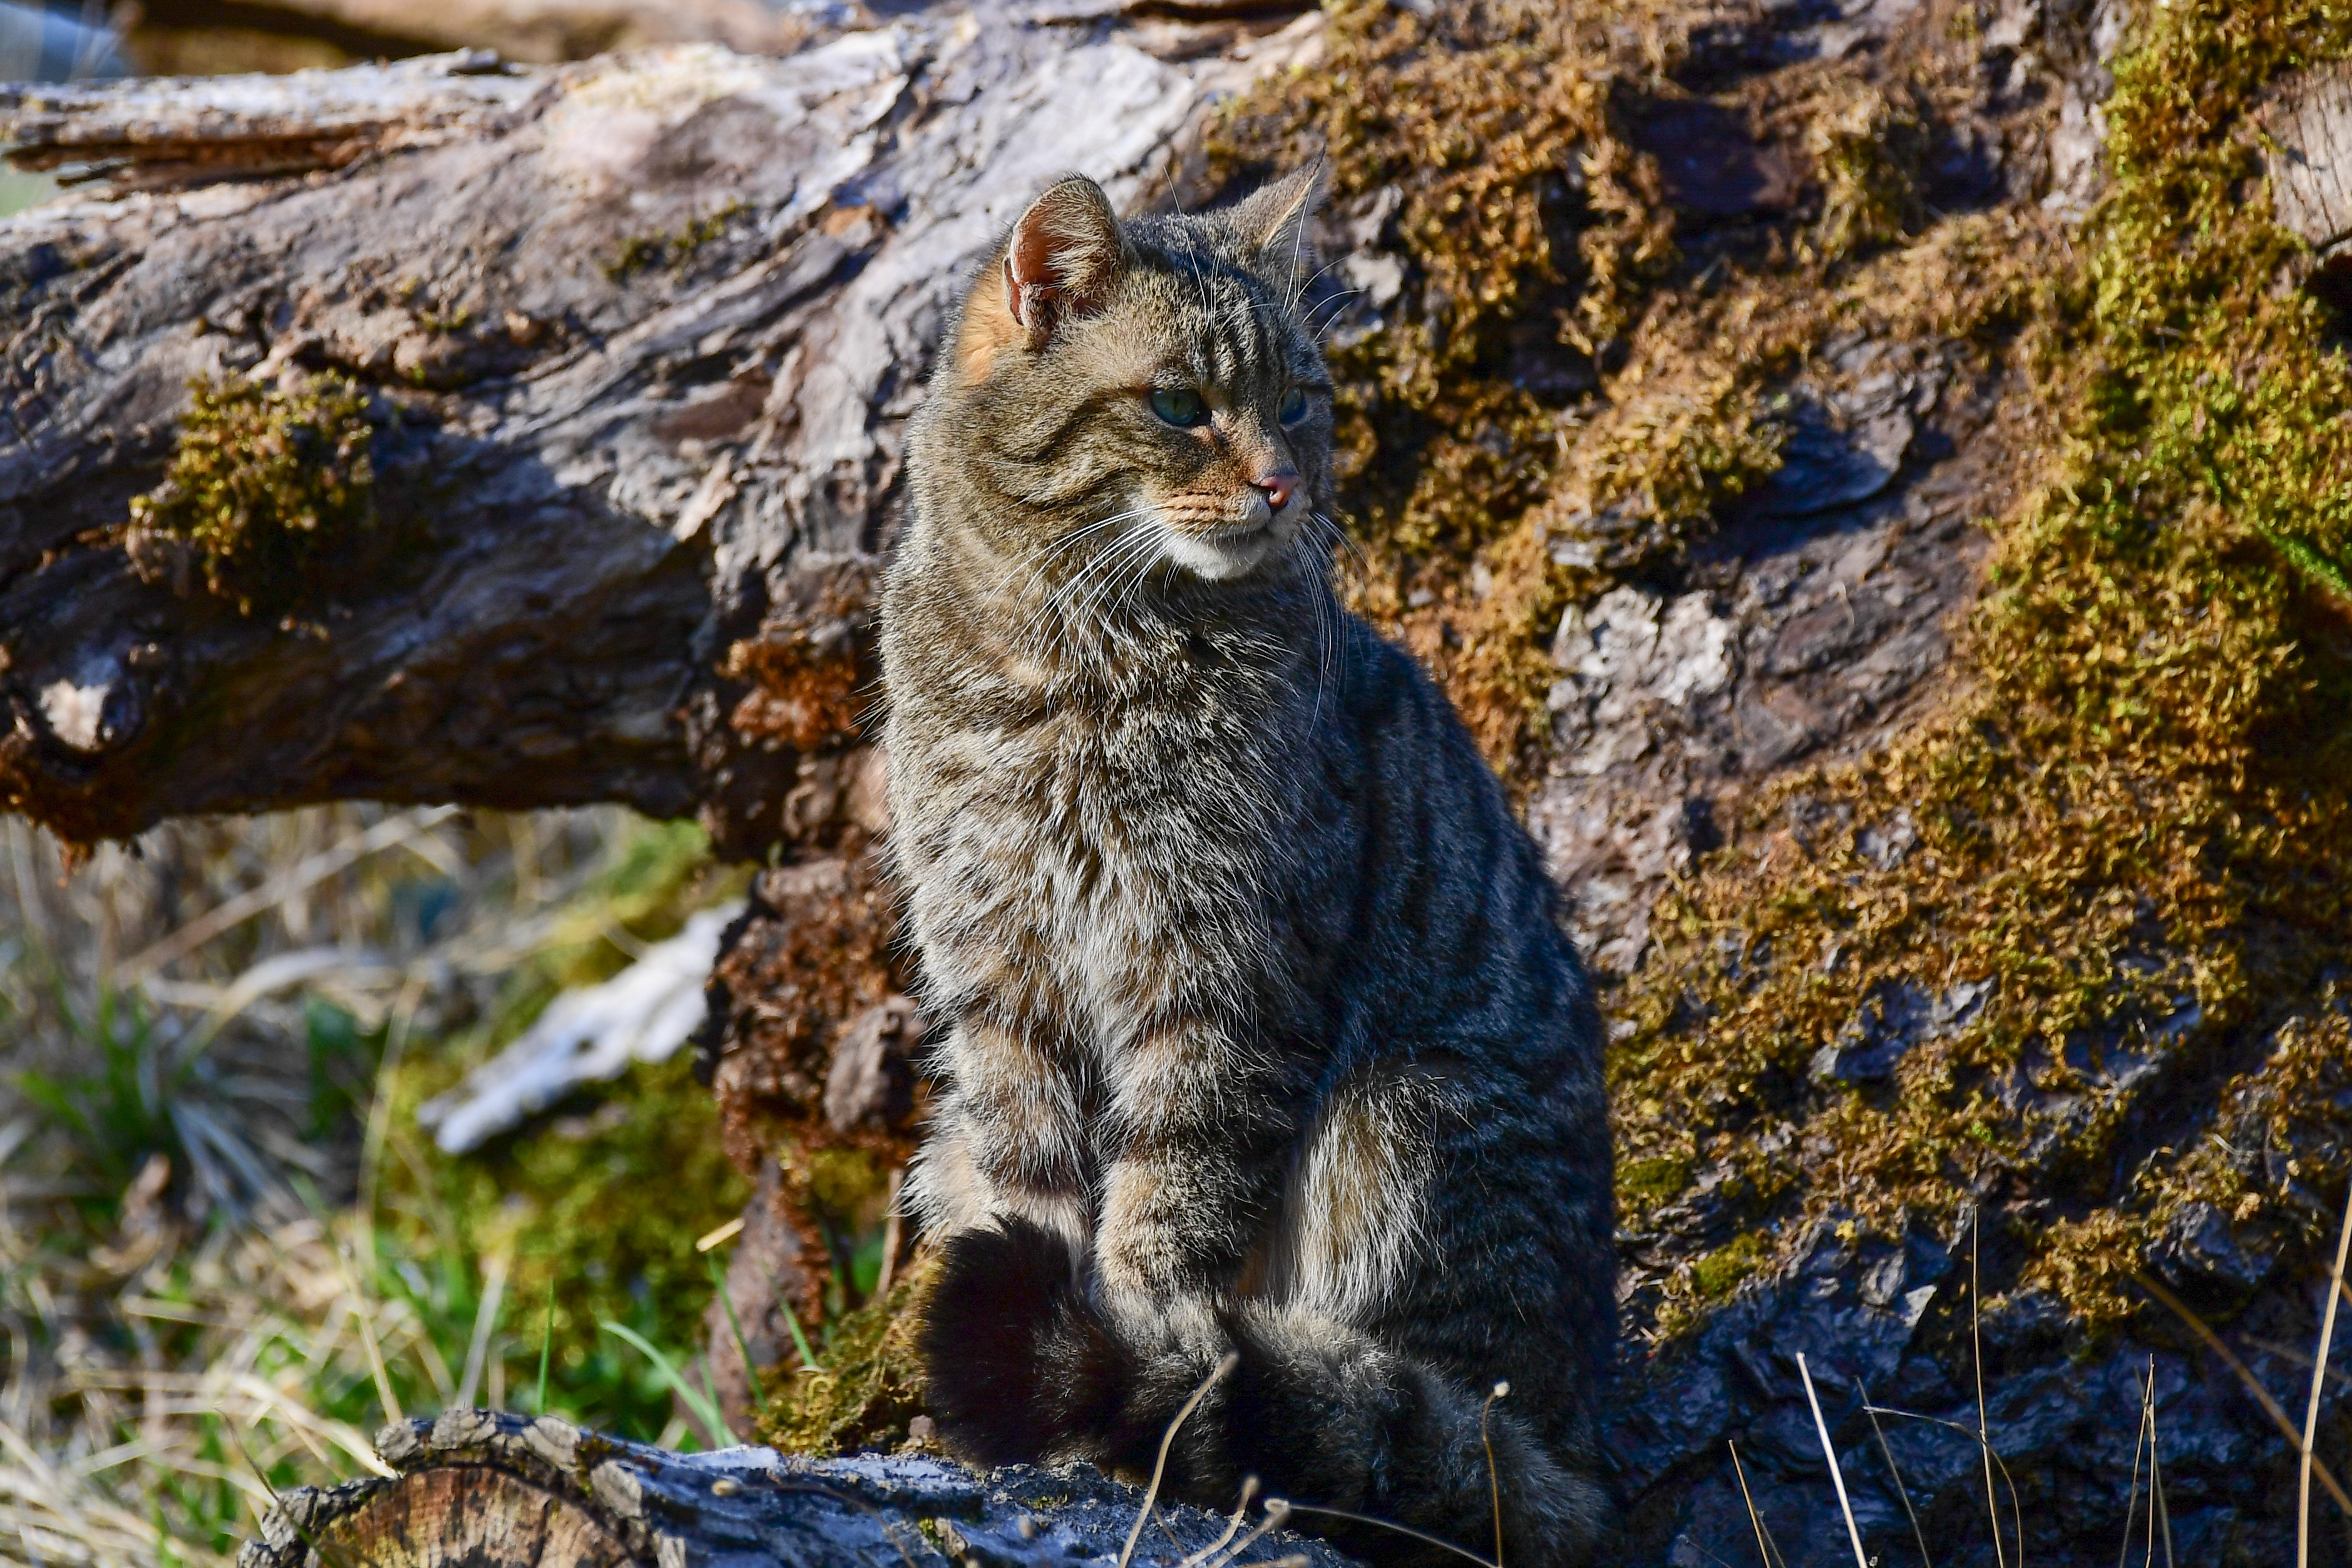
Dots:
(1142, 387)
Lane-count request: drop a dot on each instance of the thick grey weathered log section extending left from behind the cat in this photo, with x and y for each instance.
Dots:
(639, 340)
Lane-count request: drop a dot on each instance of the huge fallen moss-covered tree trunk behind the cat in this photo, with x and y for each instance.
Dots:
(634, 347)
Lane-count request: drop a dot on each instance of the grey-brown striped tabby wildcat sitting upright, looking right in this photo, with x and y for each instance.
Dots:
(1262, 1036)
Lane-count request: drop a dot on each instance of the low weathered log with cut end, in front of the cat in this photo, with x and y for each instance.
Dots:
(481, 1489)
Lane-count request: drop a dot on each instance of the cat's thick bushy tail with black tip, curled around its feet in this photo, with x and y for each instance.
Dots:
(1029, 1369)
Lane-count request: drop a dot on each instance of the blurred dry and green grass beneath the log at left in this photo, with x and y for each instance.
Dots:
(225, 1252)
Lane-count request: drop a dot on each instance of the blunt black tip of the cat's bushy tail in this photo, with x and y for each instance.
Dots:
(1020, 1362)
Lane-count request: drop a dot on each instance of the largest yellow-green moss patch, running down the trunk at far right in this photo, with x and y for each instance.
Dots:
(2137, 817)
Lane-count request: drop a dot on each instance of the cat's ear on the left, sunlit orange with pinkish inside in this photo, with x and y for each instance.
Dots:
(1057, 262)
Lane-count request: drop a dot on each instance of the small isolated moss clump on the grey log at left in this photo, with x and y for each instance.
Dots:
(265, 492)
